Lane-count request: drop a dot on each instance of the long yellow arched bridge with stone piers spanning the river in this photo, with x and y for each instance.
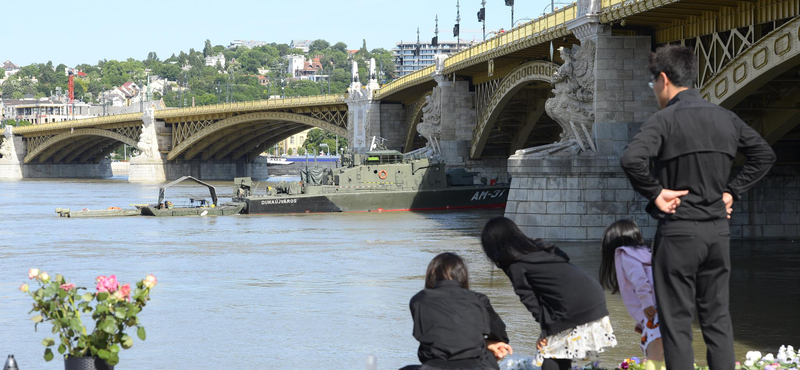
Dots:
(555, 120)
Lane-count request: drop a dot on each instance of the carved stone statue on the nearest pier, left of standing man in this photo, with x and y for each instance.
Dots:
(573, 104)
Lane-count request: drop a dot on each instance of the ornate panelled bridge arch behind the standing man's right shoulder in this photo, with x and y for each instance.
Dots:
(766, 60)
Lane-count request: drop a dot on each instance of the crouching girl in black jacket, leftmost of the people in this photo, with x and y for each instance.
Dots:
(450, 321)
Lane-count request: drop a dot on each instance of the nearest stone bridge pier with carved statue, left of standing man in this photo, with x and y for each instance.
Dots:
(575, 188)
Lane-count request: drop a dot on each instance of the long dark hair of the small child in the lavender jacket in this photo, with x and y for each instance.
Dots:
(623, 233)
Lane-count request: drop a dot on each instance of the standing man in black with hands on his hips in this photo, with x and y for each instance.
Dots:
(694, 144)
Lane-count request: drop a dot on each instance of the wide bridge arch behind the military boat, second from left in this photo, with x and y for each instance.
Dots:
(263, 129)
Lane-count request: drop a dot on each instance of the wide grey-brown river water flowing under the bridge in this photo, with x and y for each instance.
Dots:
(317, 291)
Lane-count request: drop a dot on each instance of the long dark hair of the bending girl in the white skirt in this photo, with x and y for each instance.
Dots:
(503, 242)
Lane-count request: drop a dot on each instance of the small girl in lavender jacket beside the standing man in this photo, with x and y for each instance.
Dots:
(627, 269)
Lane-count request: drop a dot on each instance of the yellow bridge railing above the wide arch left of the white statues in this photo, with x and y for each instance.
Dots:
(298, 101)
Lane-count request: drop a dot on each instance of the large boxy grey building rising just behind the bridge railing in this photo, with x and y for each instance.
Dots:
(407, 60)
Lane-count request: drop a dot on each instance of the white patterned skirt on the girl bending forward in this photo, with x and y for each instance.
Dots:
(581, 342)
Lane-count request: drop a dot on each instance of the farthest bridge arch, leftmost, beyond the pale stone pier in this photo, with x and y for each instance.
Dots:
(63, 146)
